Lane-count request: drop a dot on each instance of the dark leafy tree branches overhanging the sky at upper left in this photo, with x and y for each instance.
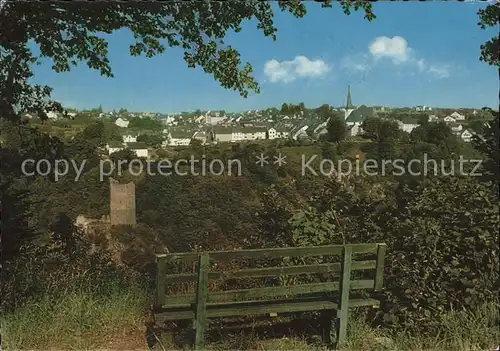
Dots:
(68, 33)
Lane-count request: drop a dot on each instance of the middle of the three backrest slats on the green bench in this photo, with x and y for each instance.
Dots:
(323, 268)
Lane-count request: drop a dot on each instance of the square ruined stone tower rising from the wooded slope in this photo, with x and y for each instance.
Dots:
(121, 203)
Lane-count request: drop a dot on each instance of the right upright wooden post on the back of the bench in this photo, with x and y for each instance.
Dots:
(345, 280)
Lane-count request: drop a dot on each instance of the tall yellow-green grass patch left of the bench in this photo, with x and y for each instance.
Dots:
(77, 320)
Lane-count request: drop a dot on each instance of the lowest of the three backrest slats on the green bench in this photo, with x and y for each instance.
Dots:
(268, 292)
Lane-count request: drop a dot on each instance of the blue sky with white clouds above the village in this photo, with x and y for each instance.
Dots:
(411, 54)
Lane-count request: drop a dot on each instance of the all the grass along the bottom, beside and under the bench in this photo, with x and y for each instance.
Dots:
(116, 321)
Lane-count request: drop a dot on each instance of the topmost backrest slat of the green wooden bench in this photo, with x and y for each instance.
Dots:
(307, 251)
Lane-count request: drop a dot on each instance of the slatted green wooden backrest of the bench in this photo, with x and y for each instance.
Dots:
(343, 269)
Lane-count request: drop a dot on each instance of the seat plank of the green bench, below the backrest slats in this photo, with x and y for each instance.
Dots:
(262, 307)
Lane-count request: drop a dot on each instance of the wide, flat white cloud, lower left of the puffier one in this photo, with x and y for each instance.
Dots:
(299, 67)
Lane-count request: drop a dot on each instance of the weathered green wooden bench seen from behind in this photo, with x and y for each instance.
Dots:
(271, 300)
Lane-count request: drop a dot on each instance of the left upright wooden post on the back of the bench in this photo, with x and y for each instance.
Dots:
(201, 301)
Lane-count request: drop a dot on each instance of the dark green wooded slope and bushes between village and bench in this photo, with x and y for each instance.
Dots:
(441, 230)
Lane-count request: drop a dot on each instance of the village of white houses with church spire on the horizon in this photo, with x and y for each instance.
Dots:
(291, 122)
